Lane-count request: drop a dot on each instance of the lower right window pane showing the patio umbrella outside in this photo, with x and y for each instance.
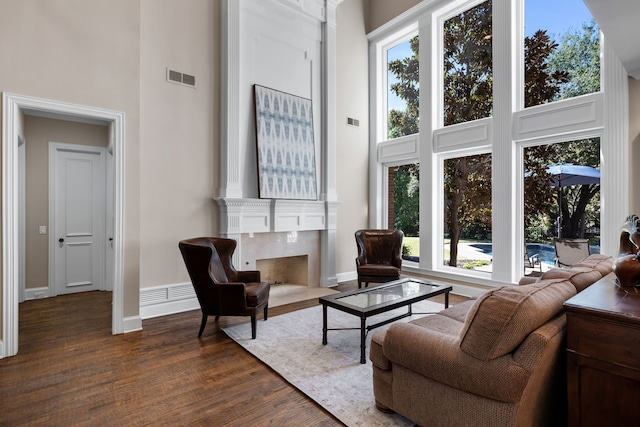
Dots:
(561, 196)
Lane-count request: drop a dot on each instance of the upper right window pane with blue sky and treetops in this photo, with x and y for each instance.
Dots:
(562, 51)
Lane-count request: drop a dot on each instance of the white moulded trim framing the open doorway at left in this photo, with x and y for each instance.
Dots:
(15, 107)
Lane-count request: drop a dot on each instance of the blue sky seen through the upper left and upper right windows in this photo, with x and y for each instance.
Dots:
(555, 16)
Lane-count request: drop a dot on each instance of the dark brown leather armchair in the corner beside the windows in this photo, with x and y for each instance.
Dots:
(379, 255)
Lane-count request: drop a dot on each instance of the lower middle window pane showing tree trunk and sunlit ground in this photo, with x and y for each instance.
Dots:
(467, 212)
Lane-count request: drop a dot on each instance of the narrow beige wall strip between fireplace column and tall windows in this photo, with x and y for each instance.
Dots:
(352, 142)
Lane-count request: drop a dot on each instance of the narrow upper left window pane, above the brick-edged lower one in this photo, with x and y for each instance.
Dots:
(403, 89)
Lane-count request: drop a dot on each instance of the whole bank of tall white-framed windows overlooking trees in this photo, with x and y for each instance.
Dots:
(486, 179)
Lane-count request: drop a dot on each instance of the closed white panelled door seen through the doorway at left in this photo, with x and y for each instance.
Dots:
(77, 217)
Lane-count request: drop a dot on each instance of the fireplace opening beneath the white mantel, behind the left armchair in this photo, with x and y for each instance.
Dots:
(293, 270)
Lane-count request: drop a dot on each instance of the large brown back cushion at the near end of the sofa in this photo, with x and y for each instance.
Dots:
(501, 319)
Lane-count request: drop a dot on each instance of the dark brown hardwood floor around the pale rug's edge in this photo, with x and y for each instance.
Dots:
(70, 371)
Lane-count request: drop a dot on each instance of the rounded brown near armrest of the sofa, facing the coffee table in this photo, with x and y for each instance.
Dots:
(438, 356)
